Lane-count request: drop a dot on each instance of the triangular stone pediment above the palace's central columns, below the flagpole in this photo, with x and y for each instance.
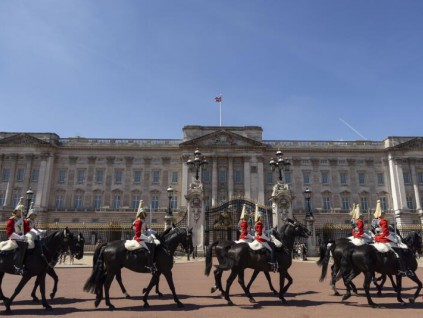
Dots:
(223, 138)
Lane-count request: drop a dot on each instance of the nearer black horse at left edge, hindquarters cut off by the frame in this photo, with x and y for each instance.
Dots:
(37, 261)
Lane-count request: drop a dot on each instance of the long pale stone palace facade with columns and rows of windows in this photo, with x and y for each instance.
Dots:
(102, 180)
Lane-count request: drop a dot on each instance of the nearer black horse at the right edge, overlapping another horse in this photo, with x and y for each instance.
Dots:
(367, 260)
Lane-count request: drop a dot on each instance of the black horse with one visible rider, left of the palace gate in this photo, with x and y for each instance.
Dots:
(112, 257)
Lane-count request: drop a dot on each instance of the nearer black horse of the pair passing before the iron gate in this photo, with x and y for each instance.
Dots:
(240, 256)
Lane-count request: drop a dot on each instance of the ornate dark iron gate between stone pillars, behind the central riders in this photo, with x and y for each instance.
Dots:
(222, 220)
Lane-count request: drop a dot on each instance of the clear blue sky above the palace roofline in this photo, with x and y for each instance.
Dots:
(302, 70)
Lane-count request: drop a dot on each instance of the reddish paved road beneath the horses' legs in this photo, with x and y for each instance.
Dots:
(307, 297)
